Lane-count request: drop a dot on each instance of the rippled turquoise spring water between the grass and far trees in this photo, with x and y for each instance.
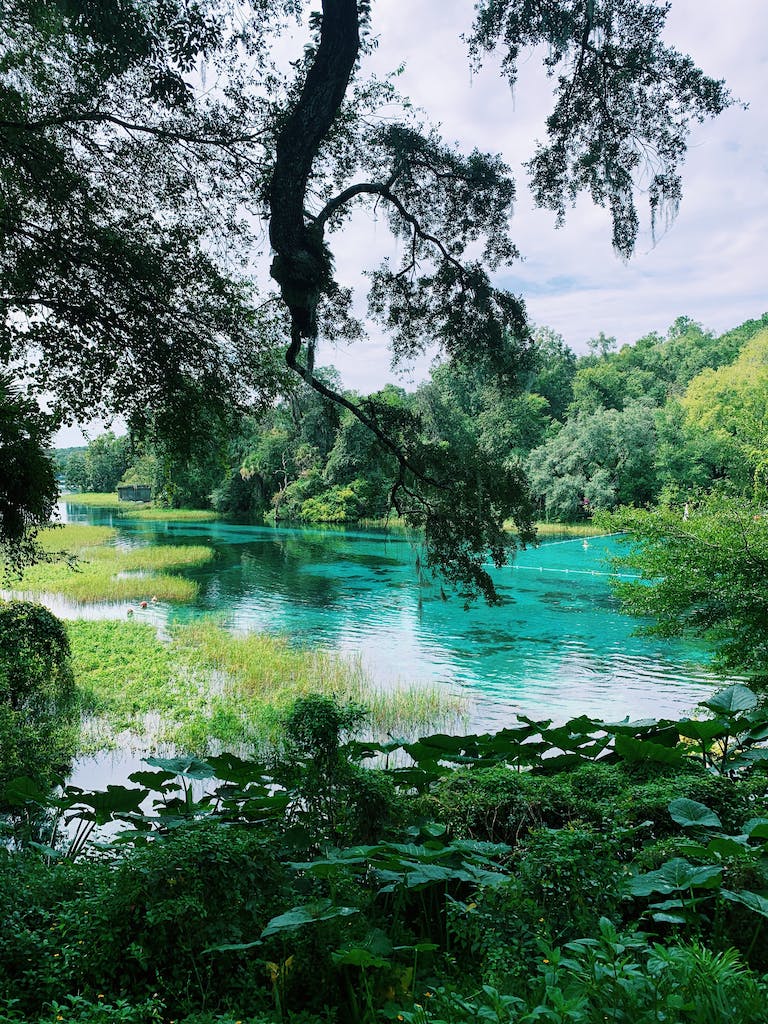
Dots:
(557, 647)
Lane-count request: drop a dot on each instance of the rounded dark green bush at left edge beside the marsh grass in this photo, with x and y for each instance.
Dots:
(38, 707)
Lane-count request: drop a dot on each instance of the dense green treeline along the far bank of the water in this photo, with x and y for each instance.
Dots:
(629, 425)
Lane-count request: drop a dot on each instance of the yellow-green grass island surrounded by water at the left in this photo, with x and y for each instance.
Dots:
(107, 573)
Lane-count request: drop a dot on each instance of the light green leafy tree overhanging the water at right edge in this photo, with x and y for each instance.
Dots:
(703, 575)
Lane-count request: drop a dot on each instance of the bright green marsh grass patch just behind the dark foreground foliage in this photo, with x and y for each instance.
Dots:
(207, 691)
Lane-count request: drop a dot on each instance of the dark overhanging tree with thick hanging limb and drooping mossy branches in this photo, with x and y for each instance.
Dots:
(117, 168)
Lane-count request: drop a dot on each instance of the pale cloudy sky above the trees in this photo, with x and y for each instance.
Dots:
(709, 265)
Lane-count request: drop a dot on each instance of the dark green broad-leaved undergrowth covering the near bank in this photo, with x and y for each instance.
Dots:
(224, 889)
